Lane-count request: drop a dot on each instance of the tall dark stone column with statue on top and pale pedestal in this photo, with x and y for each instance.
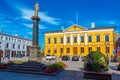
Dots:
(35, 48)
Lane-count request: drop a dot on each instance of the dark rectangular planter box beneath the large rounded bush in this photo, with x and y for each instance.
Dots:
(97, 75)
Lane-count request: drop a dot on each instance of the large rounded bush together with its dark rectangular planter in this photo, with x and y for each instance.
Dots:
(96, 63)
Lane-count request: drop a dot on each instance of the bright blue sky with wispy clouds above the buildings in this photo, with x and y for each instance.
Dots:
(15, 15)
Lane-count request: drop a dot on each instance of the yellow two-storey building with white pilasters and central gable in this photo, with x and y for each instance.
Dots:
(76, 40)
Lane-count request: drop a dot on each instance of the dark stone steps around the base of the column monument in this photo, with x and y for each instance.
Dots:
(27, 67)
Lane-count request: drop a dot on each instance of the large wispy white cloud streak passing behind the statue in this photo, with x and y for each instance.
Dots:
(27, 13)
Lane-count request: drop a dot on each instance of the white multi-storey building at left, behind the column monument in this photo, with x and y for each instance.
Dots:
(14, 47)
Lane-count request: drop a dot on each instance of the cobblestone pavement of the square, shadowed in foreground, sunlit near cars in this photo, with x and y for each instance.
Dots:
(72, 72)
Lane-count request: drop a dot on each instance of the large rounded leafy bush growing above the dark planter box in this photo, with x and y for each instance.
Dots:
(96, 61)
